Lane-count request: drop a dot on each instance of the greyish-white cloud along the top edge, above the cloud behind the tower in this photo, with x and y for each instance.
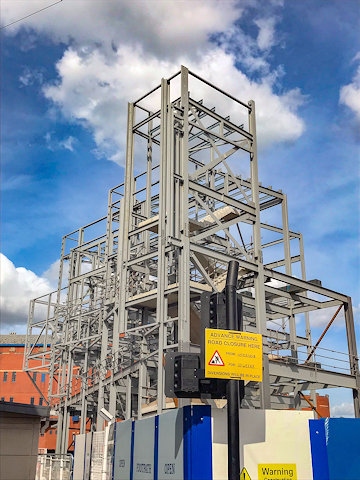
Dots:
(165, 29)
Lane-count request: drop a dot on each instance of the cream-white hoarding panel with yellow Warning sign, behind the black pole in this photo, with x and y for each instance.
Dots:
(273, 444)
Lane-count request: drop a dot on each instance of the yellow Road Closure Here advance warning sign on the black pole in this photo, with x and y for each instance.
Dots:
(230, 354)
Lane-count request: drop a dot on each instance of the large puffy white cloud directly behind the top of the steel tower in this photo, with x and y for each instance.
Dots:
(95, 92)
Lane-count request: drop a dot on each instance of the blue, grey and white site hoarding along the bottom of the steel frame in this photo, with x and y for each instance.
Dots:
(190, 443)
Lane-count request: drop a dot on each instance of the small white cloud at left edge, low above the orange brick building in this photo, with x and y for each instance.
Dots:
(17, 287)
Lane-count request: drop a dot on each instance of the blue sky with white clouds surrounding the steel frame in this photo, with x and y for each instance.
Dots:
(69, 68)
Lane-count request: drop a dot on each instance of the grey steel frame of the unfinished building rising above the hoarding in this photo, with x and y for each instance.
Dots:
(130, 283)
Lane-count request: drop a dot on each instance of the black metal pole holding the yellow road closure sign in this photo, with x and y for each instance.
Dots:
(233, 403)
